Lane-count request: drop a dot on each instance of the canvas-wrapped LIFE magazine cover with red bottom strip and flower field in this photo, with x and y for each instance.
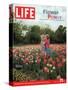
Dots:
(37, 44)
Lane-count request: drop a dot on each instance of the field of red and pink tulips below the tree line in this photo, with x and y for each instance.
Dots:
(30, 64)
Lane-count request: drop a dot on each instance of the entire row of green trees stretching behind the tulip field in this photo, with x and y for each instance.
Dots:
(33, 36)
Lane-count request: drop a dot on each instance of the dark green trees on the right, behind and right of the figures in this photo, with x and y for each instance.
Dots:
(59, 36)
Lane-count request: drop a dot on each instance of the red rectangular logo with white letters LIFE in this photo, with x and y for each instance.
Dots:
(24, 12)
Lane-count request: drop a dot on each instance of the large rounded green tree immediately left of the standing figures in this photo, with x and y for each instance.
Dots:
(33, 36)
